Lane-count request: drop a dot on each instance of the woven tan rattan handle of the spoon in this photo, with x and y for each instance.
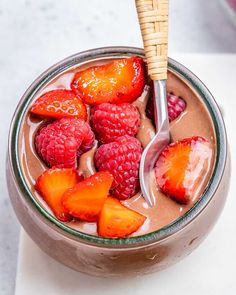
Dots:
(153, 20)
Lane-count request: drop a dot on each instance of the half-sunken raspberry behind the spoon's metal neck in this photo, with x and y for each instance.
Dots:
(176, 106)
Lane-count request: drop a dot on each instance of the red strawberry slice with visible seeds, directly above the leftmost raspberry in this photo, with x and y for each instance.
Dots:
(59, 103)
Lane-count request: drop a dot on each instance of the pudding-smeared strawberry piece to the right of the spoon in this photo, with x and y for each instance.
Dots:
(181, 167)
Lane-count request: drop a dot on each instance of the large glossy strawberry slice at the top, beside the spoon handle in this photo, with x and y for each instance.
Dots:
(119, 81)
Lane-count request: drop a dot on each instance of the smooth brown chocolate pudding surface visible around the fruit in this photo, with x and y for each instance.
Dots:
(195, 120)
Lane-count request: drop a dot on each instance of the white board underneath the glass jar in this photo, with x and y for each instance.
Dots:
(210, 269)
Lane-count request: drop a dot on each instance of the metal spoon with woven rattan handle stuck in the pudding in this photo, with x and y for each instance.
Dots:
(153, 20)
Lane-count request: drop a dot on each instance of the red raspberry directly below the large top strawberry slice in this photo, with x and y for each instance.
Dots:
(110, 121)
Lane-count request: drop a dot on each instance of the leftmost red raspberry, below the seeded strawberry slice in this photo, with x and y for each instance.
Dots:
(61, 142)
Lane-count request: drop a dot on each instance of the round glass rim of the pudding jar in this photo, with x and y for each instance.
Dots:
(149, 238)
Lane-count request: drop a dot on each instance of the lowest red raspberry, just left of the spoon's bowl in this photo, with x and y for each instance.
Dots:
(121, 158)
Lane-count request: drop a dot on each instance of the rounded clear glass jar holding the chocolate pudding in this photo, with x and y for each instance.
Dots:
(133, 255)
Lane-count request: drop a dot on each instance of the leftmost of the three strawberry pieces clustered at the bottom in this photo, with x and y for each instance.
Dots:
(52, 184)
